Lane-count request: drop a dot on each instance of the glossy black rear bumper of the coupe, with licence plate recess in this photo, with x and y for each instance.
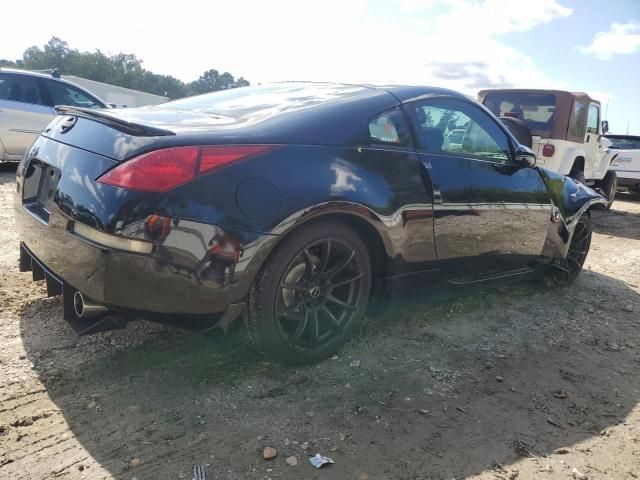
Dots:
(140, 254)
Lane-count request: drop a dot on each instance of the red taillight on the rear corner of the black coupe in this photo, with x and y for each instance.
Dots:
(162, 170)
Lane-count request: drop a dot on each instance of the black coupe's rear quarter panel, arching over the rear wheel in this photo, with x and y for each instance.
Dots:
(290, 185)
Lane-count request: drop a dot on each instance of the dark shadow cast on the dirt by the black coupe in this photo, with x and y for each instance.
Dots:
(429, 390)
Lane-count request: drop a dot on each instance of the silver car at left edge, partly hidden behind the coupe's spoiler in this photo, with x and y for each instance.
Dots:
(27, 101)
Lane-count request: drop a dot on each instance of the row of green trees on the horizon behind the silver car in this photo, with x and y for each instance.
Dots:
(123, 69)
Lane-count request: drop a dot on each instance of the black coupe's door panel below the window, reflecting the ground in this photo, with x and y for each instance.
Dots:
(493, 217)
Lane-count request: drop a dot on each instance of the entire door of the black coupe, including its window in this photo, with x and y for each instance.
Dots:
(491, 215)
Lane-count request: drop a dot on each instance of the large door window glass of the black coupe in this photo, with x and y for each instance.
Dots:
(451, 126)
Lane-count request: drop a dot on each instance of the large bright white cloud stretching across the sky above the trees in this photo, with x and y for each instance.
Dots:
(453, 43)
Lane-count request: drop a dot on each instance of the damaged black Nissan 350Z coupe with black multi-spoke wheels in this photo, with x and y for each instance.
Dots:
(287, 205)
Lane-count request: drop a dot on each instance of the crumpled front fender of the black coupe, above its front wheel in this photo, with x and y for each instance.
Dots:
(570, 199)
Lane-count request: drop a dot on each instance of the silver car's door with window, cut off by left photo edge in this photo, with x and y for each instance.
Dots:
(23, 113)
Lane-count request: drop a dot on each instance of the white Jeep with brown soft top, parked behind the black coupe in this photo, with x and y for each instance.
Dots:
(563, 128)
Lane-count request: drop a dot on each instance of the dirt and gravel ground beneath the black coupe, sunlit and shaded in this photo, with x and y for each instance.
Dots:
(515, 383)
